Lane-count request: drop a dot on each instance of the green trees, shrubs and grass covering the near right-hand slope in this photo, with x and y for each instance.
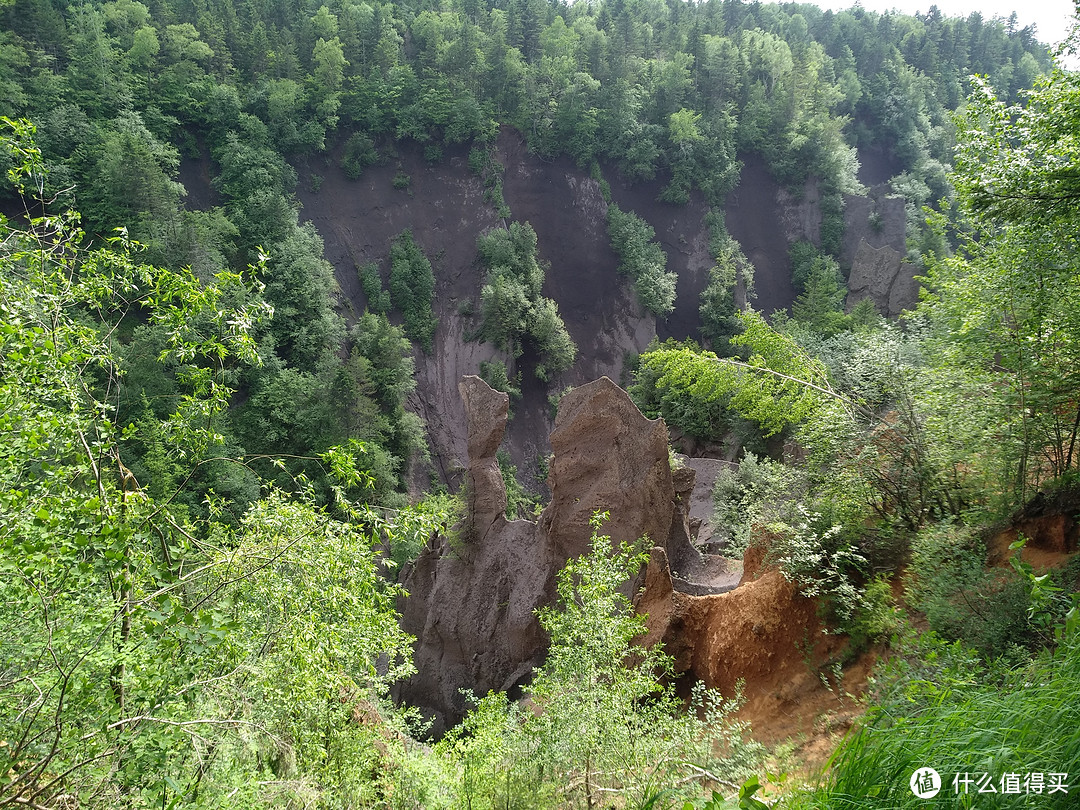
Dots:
(915, 444)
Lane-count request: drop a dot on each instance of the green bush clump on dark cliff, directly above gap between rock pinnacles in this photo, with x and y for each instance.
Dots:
(512, 307)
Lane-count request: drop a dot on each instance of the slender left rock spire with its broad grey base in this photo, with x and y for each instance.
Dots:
(472, 596)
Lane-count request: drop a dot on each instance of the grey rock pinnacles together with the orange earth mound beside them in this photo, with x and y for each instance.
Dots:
(474, 597)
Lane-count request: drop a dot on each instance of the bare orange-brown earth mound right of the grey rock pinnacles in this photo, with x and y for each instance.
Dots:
(767, 643)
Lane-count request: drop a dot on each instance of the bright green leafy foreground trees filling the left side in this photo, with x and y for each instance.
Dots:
(153, 657)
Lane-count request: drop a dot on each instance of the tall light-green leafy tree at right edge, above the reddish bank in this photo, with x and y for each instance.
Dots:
(1003, 313)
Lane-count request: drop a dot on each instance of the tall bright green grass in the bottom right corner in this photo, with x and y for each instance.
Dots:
(946, 711)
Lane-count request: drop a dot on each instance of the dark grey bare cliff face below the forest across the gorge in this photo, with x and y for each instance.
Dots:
(445, 208)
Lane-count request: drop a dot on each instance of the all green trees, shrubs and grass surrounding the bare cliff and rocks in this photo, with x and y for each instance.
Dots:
(205, 490)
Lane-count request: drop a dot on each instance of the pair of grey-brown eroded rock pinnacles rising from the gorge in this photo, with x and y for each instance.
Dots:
(472, 601)
